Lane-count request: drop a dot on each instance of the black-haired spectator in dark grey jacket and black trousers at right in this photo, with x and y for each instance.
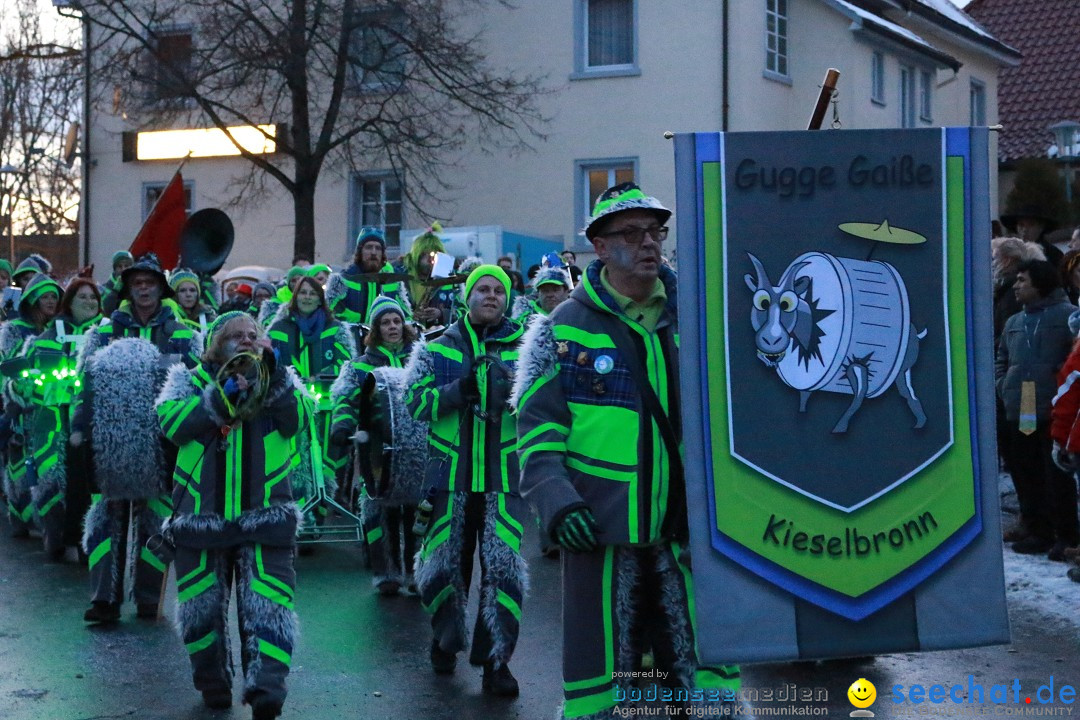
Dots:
(1034, 346)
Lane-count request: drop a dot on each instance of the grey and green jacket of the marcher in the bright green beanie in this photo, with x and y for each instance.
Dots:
(467, 453)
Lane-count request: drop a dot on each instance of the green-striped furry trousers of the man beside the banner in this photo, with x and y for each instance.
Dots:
(619, 603)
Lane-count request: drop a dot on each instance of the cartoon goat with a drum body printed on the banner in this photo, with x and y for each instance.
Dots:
(859, 344)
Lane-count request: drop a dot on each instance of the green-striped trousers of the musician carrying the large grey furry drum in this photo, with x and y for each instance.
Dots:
(111, 525)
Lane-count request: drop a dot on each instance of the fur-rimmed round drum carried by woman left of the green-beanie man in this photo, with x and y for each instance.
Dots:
(394, 456)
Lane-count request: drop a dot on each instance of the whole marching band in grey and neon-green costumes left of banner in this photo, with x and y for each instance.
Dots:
(148, 424)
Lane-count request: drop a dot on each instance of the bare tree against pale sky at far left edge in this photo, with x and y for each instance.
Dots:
(40, 99)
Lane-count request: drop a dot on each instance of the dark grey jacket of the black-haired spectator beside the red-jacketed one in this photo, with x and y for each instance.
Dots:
(1020, 360)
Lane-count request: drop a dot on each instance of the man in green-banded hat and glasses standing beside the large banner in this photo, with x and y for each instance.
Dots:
(601, 452)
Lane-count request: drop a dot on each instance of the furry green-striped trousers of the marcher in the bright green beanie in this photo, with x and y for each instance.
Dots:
(461, 524)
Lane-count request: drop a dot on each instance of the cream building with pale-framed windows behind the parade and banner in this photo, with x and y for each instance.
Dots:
(624, 73)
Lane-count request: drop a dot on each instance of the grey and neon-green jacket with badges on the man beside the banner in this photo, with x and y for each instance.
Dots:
(585, 439)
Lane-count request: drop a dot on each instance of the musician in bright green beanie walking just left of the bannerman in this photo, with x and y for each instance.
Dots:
(460, 385)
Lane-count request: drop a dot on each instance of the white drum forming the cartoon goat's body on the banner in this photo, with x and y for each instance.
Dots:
(870, 322)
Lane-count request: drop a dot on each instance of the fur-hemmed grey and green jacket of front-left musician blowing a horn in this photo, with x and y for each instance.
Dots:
(233, 480)
